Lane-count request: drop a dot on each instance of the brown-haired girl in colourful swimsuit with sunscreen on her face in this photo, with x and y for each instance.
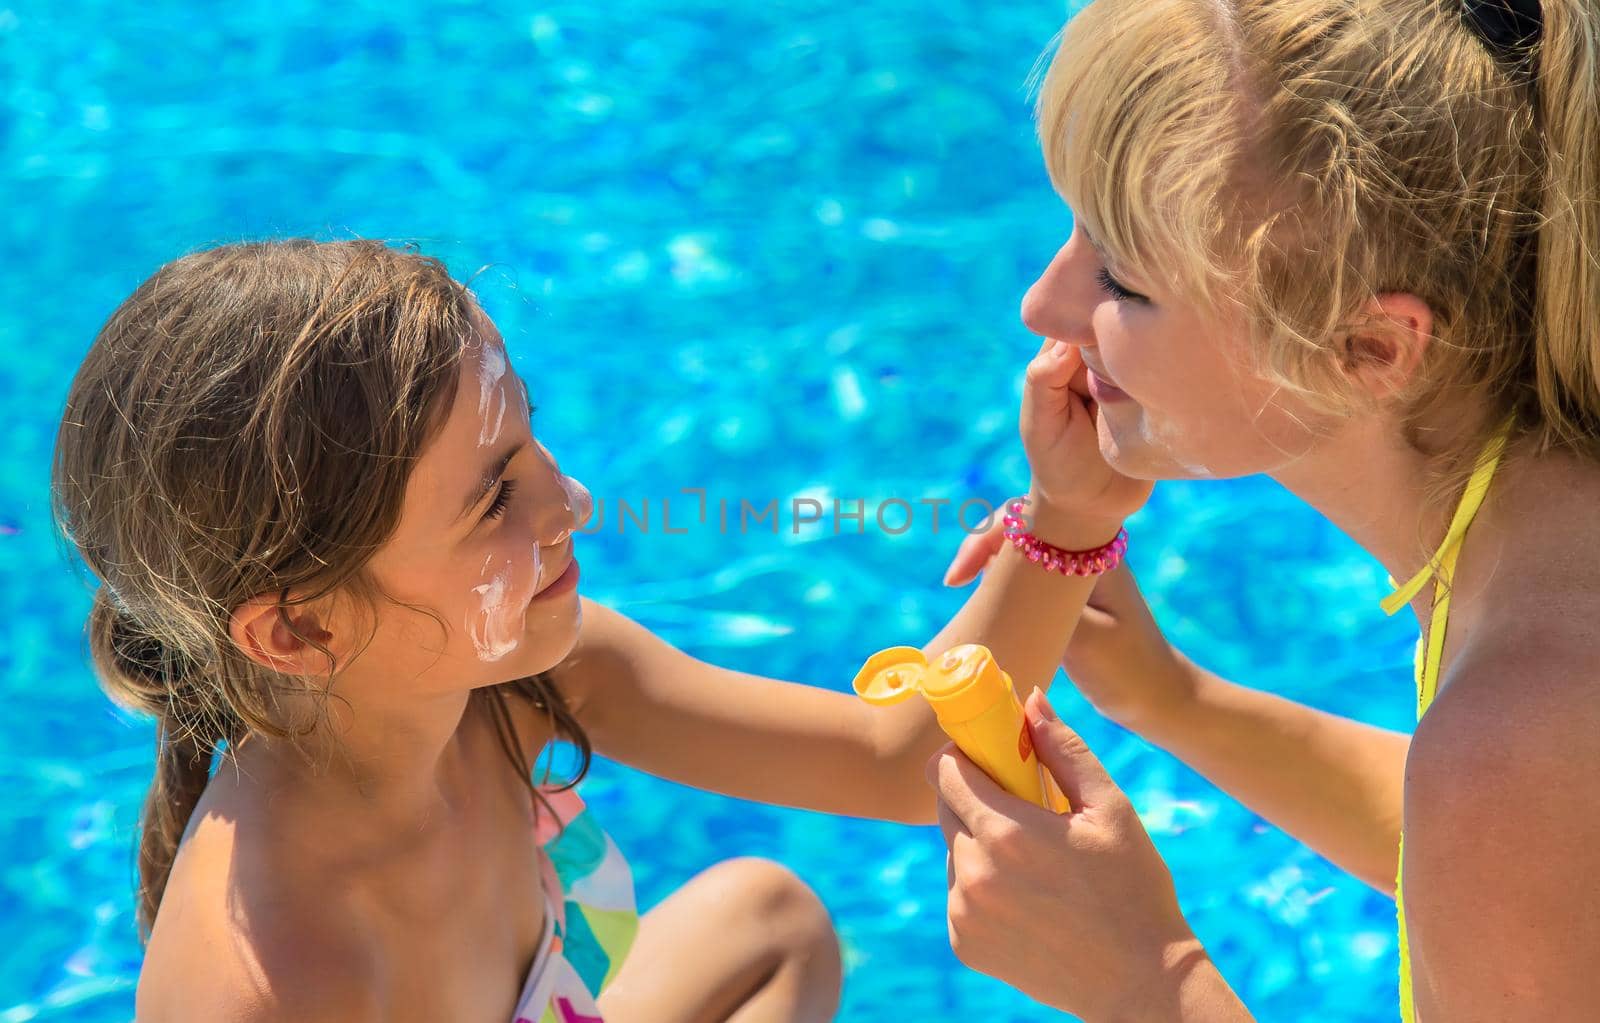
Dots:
(342, 574)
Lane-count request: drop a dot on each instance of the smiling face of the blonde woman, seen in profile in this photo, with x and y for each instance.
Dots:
(1177, 395)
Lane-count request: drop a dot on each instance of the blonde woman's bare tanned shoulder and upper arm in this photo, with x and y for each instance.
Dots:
(1500, 825)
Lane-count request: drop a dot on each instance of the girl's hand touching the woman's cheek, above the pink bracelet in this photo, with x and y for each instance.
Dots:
(1062, 439)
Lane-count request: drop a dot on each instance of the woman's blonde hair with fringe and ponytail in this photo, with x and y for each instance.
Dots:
(1292, 159)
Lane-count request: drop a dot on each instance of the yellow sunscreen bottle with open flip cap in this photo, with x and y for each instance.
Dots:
(975, 705)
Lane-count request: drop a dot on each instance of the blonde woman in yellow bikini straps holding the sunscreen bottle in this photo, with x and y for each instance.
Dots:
(1353, 246)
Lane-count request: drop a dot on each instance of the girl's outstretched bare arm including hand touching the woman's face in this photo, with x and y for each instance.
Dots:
(671, 715)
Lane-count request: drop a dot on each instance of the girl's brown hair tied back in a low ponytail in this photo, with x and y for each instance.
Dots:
(246, 423)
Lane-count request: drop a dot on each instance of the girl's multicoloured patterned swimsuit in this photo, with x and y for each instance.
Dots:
(590, 918)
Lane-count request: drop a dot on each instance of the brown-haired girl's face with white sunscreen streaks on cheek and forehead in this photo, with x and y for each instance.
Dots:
(486, 544)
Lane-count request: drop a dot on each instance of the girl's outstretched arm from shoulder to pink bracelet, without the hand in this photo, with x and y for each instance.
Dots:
(654, 707)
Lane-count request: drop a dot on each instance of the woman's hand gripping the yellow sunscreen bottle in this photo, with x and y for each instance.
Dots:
(1074, 910)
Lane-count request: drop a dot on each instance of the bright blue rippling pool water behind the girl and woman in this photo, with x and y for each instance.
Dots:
(770, 249)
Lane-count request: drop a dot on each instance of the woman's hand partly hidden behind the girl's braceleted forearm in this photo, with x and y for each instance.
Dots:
(1119, 657)
